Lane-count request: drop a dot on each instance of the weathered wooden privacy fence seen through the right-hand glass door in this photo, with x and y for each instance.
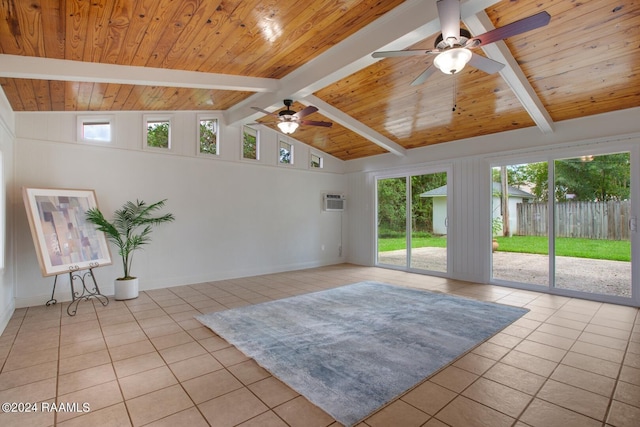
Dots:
(591, 220)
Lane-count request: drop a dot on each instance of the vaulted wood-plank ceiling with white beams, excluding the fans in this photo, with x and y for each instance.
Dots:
(138, 55)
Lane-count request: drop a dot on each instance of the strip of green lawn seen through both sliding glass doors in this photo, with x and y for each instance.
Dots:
(613, 250)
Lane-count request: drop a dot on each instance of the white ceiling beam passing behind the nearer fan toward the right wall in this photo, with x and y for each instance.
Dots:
(512, 73)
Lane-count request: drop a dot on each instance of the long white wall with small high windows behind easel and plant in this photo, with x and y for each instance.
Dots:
(233, 217)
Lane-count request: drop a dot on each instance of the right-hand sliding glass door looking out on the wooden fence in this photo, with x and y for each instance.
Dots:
(566, 224)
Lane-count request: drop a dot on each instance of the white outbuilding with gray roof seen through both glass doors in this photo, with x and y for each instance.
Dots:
(439, 196)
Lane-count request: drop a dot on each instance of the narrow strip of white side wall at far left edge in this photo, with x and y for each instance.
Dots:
(7, 138)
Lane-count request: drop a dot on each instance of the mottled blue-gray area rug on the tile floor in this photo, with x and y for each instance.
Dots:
(352, 349)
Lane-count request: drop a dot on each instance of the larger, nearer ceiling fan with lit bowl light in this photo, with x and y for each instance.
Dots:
(452, 47)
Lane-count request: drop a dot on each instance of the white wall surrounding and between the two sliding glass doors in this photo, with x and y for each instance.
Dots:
(469, 229)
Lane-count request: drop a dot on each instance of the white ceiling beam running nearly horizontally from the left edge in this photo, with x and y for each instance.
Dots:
(29, 67)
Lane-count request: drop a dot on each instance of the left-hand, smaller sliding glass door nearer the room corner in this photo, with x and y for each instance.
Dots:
(412, 222)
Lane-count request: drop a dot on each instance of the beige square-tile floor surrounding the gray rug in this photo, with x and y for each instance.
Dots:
(568, 362)
